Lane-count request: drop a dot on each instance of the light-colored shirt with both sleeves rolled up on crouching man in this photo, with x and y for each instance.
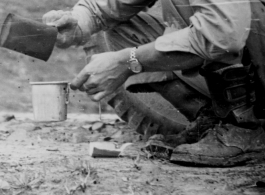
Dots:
(215, 30)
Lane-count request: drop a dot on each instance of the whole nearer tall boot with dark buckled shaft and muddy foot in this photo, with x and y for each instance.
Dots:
(239, 137)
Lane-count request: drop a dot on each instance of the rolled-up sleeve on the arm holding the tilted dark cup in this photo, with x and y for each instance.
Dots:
(96, 15)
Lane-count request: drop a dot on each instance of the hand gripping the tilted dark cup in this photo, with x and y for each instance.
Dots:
(69, 31)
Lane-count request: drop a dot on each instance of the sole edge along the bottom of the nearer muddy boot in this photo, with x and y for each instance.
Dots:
(191, 160)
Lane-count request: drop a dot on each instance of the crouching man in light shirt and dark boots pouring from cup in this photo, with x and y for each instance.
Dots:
(206, 37)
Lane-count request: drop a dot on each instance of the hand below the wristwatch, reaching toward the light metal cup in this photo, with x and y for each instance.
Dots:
(104, 74)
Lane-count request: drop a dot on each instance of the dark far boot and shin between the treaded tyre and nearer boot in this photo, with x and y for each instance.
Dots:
(192, 104)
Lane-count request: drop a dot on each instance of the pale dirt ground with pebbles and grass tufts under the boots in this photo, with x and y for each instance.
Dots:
(52, 159)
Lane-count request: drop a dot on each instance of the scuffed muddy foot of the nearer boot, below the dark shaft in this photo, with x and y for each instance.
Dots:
(223, 146)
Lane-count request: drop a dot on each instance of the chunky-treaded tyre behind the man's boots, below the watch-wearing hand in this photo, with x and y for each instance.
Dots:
(143, 116)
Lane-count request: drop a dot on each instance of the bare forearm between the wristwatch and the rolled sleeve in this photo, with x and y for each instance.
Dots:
(153, 60)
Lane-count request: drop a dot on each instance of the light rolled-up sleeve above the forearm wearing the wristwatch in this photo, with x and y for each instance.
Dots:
(217, 27)
